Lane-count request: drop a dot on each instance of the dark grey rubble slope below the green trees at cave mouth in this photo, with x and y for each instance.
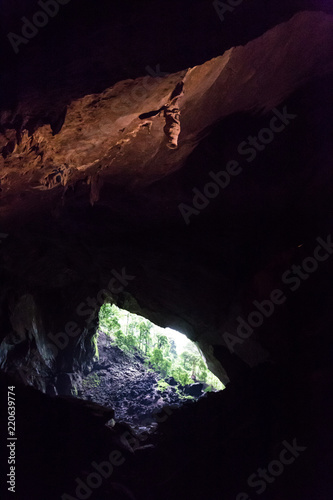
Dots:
(124, 383)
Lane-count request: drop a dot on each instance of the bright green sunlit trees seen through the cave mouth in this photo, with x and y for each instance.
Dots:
(160, 350)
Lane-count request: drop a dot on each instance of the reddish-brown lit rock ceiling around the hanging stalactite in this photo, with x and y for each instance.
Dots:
(100, 138)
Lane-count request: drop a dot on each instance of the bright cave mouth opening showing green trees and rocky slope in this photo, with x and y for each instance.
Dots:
(140, 368)
